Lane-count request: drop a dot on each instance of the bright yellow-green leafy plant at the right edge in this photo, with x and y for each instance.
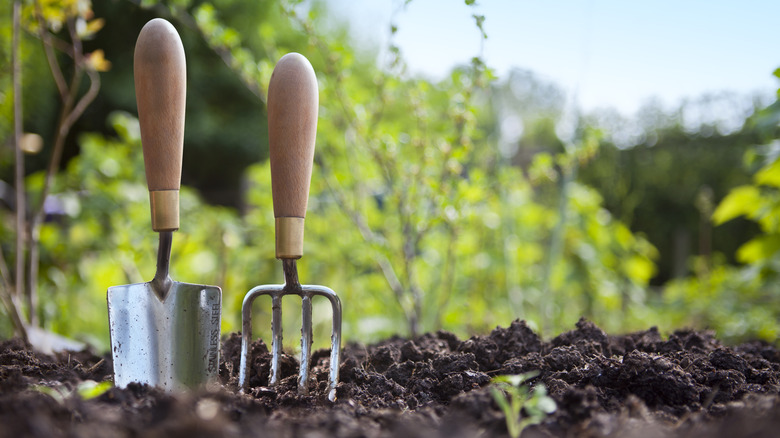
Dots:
(740, 302)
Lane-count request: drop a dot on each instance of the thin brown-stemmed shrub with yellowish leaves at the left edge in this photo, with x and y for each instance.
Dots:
(62, 27)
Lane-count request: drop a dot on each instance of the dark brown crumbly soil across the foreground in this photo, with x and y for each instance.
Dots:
(639, 384)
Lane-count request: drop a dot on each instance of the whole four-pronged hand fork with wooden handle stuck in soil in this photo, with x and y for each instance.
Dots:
(292, 126)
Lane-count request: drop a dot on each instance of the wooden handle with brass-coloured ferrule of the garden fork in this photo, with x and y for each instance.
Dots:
(292, 127)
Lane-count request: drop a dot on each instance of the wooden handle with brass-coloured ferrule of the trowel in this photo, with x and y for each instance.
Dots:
(160, 90)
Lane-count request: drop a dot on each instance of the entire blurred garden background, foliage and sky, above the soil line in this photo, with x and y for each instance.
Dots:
(477, 162)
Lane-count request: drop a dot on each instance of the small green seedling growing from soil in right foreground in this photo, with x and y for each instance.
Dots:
(514, 398)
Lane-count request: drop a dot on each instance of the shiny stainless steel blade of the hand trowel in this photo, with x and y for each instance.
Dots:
(172, 343)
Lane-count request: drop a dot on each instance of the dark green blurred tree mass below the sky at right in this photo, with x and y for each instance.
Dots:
(665, 183)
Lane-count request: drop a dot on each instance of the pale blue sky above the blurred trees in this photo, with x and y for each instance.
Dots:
(610, 53)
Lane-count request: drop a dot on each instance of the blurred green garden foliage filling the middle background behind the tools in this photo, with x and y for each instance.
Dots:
(457, 204)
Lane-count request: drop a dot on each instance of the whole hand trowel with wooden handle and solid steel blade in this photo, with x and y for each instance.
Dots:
(163, 333)
